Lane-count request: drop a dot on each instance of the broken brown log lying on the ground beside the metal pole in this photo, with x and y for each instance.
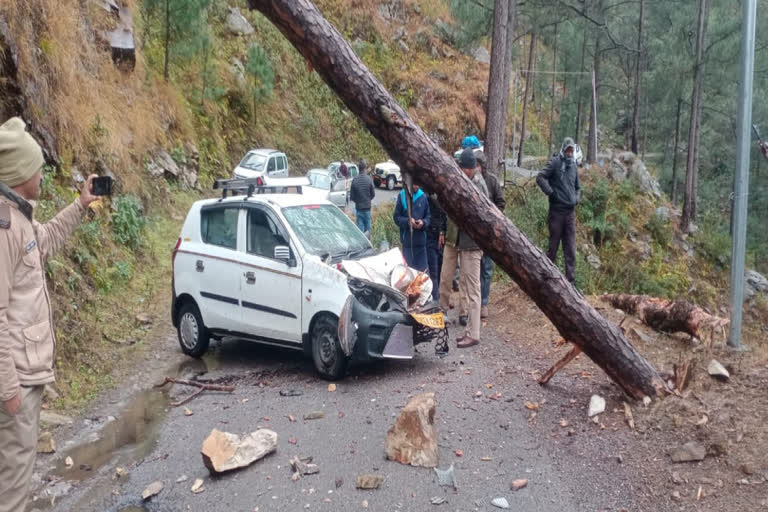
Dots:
(667, 316)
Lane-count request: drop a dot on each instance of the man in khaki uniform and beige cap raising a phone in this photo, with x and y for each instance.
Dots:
(27, 339)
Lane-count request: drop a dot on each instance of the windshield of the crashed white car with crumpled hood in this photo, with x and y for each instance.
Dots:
(325, 230)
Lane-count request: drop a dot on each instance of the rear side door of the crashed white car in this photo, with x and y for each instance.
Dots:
(218, 268)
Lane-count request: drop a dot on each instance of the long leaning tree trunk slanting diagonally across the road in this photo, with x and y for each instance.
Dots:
(577, 321)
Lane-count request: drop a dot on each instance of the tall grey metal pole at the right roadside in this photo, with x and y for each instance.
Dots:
(741, 181)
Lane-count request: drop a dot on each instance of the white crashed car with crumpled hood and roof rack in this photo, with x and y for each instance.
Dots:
(270, 267)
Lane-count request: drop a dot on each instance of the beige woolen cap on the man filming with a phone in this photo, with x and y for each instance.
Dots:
(20, 154)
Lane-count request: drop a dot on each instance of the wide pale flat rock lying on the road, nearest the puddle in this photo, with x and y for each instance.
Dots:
(223, 451)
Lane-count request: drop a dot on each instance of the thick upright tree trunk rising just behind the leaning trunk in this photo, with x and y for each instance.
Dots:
(495, 116)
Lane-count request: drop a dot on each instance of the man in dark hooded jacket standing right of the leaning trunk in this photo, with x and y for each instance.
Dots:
(559, 180)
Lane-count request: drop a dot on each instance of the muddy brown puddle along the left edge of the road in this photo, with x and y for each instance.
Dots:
(129, 437)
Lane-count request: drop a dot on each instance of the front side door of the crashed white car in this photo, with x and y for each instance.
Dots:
(270, 288)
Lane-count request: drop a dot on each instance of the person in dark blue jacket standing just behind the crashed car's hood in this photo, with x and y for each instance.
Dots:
(413, 229)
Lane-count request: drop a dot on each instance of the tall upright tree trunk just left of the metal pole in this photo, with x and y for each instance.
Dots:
(689, 197)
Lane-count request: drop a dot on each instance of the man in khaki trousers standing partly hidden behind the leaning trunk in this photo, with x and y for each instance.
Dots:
(459, 243)
